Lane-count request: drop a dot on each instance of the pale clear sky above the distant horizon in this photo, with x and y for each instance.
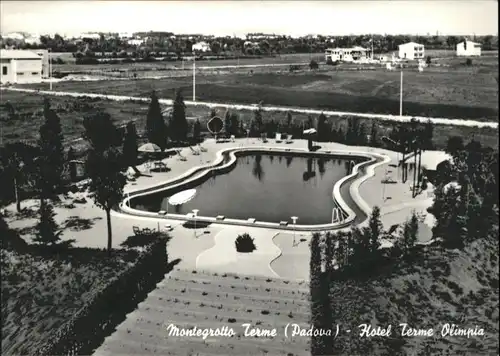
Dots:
(71, 17)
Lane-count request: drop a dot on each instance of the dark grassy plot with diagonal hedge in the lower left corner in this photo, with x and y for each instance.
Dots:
(52, 304)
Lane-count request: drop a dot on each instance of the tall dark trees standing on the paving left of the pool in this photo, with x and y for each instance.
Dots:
(41, 168)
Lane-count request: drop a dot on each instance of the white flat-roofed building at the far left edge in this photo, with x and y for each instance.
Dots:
(20, 66)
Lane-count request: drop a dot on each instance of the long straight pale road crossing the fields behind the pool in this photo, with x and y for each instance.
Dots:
(442, 121)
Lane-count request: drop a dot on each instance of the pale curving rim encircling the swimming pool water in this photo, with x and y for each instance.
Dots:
(374, 160)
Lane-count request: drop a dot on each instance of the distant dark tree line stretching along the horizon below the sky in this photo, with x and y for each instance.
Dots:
(165, 42)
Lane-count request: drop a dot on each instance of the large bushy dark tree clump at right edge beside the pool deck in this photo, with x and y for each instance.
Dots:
(466, 201)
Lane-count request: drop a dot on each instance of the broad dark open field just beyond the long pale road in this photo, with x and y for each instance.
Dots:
(461, 92)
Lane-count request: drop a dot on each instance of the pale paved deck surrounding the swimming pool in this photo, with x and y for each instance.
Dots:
(212, 248)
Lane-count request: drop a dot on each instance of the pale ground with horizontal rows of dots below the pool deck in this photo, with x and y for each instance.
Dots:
(192, 299)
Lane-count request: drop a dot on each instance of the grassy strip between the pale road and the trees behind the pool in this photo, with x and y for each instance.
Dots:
(25, 125)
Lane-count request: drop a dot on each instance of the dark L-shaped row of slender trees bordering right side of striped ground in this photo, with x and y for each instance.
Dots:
(349, 254)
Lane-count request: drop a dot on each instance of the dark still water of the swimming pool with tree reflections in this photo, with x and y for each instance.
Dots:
(266, 187)
